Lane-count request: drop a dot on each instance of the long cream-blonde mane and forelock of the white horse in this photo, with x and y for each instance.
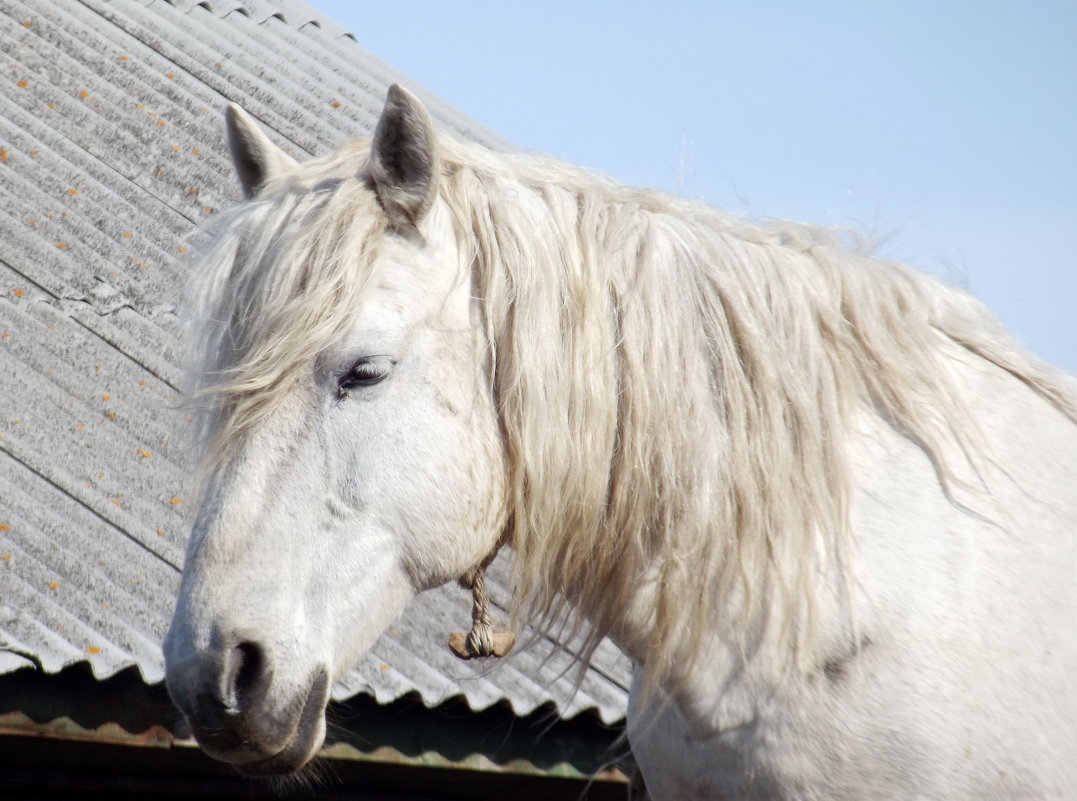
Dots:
(677, 387)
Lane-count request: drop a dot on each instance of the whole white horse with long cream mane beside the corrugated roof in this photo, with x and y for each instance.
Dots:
(824, 502)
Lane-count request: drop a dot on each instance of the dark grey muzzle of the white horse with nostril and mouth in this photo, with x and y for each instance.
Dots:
(229, 699)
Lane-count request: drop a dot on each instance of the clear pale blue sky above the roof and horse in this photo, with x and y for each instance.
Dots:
(952, 125)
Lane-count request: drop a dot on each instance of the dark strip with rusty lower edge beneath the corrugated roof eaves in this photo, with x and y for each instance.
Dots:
(123, 711)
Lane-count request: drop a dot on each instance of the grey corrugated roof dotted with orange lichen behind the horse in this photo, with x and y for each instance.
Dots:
(111, 153)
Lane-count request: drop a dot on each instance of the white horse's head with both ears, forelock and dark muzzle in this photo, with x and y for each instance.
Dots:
(354, 451)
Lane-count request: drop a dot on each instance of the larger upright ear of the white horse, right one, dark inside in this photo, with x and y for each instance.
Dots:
(404, 158)
